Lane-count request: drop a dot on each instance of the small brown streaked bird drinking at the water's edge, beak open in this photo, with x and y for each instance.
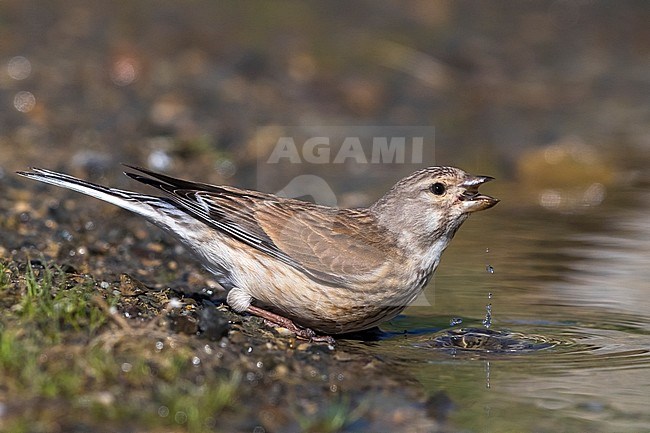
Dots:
(326, 269)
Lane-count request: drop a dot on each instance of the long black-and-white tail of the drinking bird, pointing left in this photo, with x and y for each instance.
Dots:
(141, 204)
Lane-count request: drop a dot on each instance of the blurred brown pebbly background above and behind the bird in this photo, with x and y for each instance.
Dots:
(551, 94)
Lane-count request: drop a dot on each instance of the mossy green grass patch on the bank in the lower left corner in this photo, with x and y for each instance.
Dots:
(65, 365)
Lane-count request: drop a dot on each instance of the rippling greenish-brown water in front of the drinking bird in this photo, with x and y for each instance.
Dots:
(568, 349)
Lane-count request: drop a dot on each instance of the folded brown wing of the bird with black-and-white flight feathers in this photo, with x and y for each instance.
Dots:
(335, 246)
